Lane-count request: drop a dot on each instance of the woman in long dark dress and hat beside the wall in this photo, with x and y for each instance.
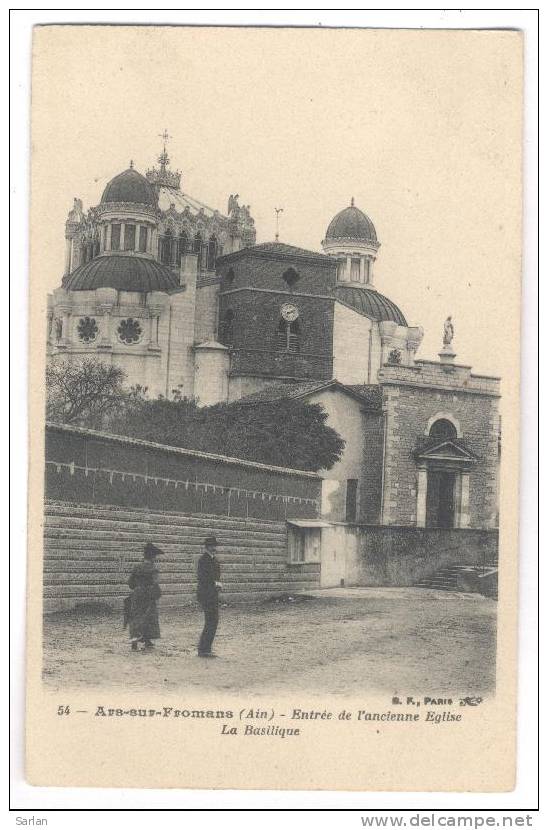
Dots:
(142, 608)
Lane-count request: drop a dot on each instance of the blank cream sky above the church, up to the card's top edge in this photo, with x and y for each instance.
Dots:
(422, 128)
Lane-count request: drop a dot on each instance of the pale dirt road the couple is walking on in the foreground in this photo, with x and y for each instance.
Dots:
(340, 641)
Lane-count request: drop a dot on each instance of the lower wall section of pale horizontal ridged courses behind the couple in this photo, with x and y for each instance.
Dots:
(89, 552)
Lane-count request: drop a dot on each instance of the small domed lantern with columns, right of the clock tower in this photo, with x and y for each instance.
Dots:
(352, 239)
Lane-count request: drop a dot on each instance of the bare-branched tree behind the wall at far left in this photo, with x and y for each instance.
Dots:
(83, 392)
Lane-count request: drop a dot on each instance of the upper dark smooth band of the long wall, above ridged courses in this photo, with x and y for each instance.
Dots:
(88, 467)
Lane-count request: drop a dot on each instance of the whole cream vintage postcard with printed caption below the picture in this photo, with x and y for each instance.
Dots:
(275, 304)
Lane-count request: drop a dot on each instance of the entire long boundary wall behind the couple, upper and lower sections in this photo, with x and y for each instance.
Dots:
(106, 496)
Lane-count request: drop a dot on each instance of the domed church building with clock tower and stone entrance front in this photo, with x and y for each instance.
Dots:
(182, 298)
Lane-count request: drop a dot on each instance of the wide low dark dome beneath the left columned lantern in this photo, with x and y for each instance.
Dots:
(124, 273)
